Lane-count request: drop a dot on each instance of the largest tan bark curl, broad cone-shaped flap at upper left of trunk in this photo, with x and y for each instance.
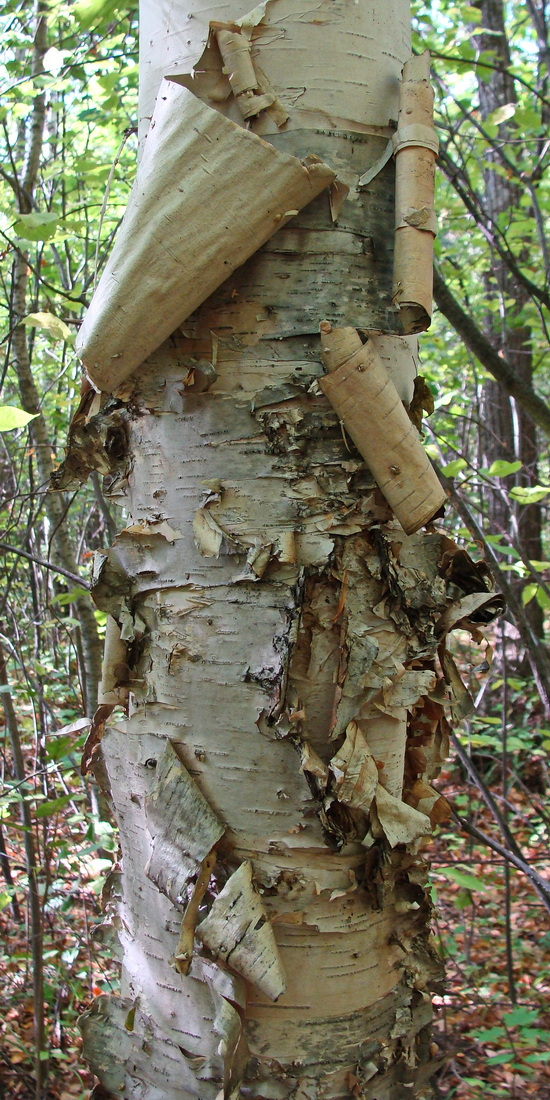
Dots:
(208, 194)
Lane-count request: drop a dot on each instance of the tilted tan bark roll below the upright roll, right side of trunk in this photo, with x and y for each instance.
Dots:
(368, 404)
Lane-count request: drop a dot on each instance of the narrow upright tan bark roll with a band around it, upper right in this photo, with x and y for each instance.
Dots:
(416, 150)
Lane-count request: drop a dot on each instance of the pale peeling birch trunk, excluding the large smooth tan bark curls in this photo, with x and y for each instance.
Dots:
(273, 624)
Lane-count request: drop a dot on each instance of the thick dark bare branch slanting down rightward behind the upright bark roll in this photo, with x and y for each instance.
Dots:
(483, 350)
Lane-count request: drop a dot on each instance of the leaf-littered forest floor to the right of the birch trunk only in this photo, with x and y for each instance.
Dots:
(493, 1020)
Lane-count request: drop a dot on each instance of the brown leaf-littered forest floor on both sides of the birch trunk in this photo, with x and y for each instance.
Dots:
(497, 1041)
